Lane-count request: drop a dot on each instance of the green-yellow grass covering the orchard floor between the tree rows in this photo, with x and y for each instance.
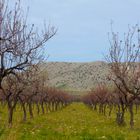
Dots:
(75, 122)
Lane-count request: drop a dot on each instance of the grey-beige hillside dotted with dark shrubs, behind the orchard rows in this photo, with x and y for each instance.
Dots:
(76, 76)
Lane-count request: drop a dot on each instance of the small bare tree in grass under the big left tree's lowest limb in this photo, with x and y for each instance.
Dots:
(12, 88)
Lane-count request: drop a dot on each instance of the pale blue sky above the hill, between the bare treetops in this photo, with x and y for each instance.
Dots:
(83, 25)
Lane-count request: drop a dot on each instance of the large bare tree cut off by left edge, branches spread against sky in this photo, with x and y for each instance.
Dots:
(20, 44)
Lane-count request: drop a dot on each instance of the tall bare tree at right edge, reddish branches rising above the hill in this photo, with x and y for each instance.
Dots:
(124, 61)
